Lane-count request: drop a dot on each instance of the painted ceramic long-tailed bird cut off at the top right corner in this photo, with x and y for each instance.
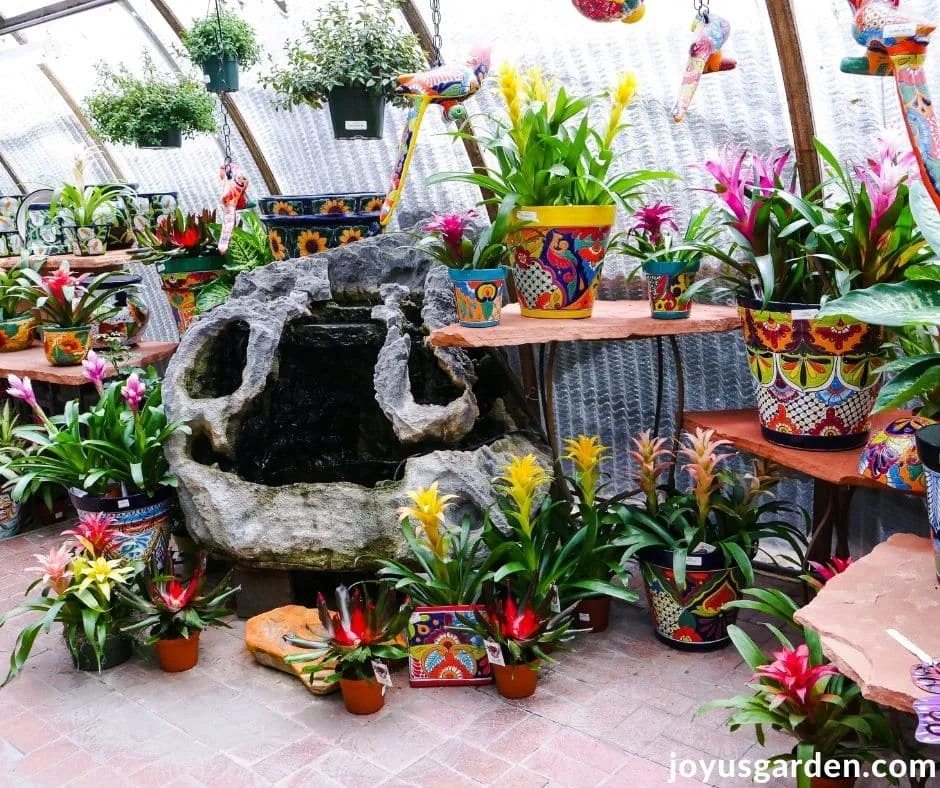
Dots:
(896, 45)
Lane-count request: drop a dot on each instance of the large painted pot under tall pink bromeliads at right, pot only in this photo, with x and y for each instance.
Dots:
(816, 380)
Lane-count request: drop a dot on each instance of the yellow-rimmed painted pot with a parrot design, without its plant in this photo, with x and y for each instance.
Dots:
(557, 256)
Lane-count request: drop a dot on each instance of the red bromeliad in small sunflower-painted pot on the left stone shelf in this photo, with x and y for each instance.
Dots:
(66, 307)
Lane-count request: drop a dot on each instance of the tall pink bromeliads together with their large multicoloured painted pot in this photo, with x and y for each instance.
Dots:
(816, 377)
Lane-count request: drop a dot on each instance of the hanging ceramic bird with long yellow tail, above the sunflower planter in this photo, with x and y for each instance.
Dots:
(448, 86)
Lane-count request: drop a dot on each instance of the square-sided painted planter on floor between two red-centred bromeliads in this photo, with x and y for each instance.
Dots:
(439, 655)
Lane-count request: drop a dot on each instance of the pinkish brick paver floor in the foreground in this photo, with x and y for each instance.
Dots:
(614, 712)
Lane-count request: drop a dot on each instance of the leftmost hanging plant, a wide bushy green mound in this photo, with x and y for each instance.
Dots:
(153, 111)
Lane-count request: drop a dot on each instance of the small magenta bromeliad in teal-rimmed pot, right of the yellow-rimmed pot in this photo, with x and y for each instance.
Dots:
(670, 263)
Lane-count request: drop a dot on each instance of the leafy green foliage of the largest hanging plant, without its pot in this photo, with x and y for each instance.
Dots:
(362, 46)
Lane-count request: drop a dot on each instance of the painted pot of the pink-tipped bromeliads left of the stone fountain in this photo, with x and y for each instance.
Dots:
(142, 522)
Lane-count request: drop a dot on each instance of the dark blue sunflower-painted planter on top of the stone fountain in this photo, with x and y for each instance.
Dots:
(301, 226)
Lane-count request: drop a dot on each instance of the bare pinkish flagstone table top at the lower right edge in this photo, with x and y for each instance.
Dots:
(894, 586)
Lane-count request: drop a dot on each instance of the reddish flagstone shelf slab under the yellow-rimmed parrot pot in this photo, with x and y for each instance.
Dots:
(612, 320)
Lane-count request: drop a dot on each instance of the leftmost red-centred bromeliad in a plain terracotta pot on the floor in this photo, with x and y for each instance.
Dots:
(174, 613)
